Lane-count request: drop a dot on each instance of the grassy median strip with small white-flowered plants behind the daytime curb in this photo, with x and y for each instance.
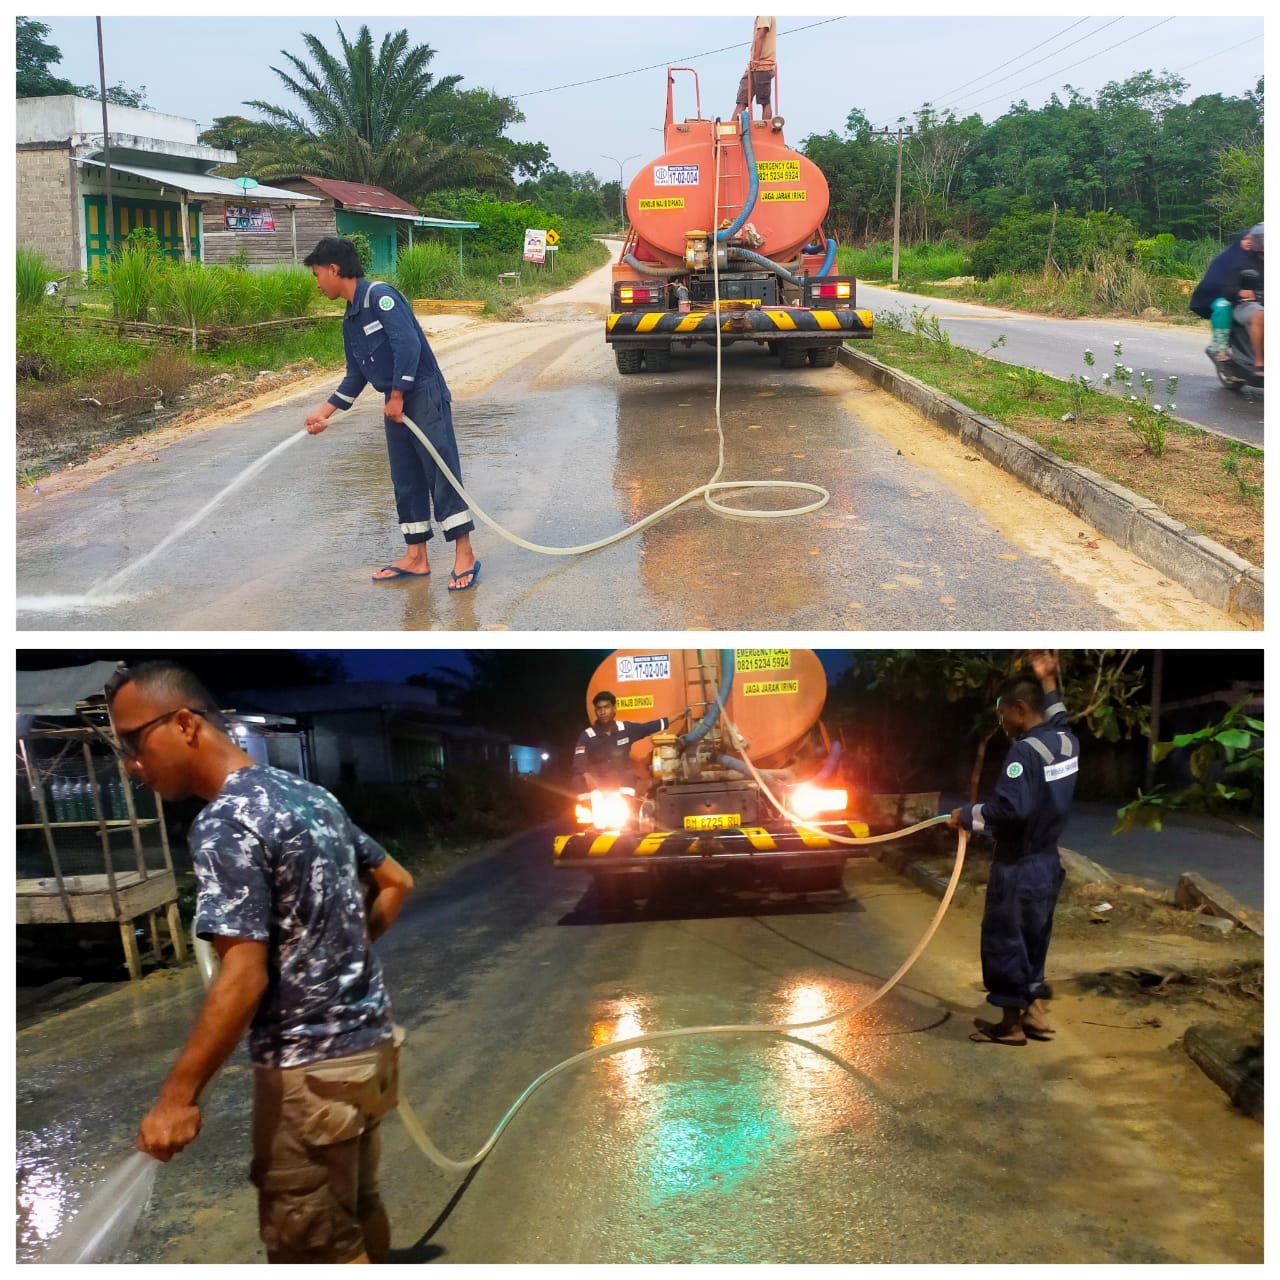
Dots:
(1213, 484)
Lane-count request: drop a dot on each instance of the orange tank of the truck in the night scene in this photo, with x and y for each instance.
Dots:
(776, 701)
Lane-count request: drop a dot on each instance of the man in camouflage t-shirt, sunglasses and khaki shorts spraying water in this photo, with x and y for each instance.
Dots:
(280, 867)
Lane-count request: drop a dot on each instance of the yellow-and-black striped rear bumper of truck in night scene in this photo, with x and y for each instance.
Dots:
(638, 849)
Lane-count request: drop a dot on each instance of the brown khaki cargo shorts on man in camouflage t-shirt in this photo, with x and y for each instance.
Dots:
(316, 1153)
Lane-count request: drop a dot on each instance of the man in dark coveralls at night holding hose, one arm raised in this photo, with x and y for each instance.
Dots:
(1026, 816)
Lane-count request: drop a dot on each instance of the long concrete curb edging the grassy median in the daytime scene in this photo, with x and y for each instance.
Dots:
(1210, 572)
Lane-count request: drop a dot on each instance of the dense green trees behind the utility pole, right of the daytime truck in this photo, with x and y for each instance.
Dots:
(1135, 150)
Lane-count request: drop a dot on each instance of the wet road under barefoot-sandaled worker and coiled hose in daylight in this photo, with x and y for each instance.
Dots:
(561, 450)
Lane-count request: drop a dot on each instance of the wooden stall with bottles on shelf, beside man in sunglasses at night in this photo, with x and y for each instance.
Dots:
(92, 845)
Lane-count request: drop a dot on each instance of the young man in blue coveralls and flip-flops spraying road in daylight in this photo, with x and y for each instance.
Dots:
(387, 349)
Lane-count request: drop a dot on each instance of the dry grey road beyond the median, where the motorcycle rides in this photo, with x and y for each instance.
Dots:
(1058, 346)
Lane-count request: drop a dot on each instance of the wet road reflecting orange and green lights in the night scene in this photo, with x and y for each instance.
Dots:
(892, 1141)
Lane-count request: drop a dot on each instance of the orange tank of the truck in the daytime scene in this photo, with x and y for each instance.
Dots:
(675, 194)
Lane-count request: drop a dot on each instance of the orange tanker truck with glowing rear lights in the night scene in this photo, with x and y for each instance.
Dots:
(696, 808)
